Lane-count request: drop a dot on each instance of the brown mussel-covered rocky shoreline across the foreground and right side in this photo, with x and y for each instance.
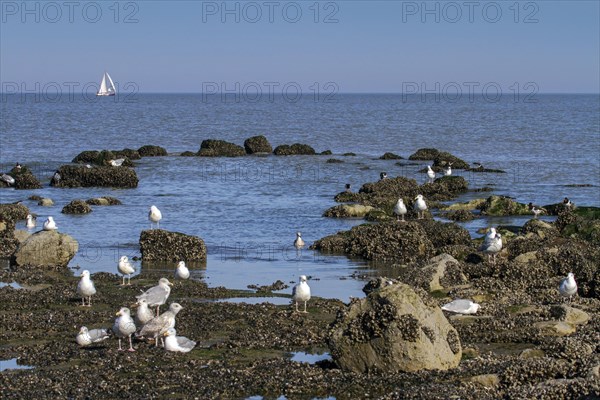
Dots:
(526, 341)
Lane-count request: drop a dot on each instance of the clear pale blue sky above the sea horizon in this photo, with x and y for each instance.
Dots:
(361, 46)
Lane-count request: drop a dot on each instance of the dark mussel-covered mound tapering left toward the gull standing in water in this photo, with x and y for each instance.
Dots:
(392, 241)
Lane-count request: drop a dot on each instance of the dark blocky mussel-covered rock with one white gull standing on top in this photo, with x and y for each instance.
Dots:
(162, 245)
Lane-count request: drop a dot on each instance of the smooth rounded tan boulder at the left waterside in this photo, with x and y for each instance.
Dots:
(46, 248)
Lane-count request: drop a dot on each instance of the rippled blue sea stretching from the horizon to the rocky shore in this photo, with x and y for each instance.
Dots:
(248, 209)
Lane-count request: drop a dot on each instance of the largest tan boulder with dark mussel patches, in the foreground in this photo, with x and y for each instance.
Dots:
(393, 330)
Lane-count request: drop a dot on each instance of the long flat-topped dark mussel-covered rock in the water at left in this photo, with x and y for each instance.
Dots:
(80, 176)
